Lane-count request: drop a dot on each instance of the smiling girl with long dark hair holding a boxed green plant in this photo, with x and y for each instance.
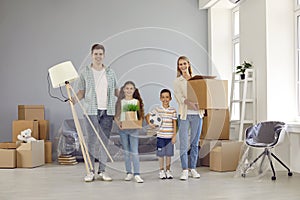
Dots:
(129, 94)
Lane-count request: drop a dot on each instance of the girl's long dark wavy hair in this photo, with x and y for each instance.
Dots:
(136, 95)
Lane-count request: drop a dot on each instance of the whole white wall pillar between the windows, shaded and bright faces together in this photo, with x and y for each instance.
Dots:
(266, 39)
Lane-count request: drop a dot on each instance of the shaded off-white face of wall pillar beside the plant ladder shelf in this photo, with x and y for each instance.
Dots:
(253, 47)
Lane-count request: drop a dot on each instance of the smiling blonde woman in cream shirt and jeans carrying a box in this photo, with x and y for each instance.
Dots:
(190, 117)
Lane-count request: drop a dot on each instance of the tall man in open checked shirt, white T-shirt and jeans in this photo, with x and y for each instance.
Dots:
(98, 87)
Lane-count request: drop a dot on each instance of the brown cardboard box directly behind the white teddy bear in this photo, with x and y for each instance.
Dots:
(21, 125)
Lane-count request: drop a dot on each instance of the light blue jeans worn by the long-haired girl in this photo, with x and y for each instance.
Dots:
(130, 143)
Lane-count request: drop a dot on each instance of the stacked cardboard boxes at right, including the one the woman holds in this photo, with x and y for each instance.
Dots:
(212, 96)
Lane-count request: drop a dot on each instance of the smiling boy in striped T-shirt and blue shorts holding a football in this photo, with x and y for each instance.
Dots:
(166, 133)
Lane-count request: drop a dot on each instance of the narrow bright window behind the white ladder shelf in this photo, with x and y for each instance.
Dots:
(235, 113)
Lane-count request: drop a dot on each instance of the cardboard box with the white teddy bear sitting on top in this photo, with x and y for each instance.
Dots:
(31, 154)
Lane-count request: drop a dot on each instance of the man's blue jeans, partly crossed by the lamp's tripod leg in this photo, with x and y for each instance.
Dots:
(103, 125)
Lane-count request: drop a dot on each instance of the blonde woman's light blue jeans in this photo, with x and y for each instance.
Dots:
(194, 122)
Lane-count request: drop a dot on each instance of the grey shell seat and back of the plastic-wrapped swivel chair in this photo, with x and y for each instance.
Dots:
(264, 134)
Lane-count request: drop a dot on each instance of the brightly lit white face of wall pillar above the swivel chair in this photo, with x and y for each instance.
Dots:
(280, 60)
